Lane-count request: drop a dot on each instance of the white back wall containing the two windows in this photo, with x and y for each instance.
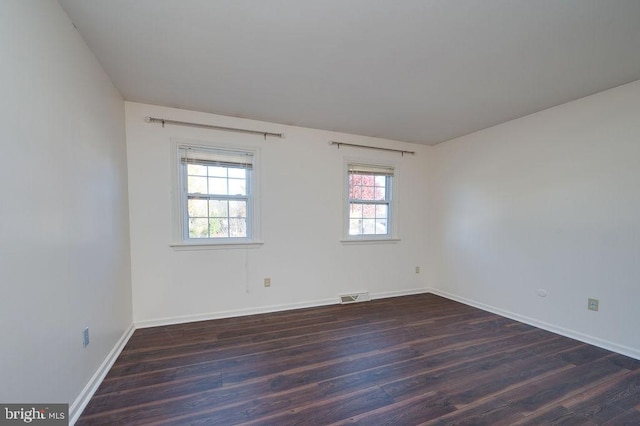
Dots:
(301, 179)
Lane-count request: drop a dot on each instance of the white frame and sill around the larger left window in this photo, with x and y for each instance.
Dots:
(181, 239)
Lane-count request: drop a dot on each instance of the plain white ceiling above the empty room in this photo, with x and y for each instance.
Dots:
(421, 71)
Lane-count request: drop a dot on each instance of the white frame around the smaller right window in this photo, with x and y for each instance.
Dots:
(392, 220)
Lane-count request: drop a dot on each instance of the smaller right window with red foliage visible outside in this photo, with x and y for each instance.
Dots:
(369, 201)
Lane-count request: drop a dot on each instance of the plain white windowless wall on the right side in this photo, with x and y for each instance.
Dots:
(548, 201)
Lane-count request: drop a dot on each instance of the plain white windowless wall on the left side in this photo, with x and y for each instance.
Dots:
(64, 246)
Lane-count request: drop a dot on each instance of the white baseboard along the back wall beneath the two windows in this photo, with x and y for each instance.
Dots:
(265, 309)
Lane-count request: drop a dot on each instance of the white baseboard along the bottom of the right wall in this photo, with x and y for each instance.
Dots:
(595, 341)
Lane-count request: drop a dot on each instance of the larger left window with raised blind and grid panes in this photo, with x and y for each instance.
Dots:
(216, 200)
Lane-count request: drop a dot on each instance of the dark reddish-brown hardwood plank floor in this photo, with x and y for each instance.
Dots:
(408, 360)
